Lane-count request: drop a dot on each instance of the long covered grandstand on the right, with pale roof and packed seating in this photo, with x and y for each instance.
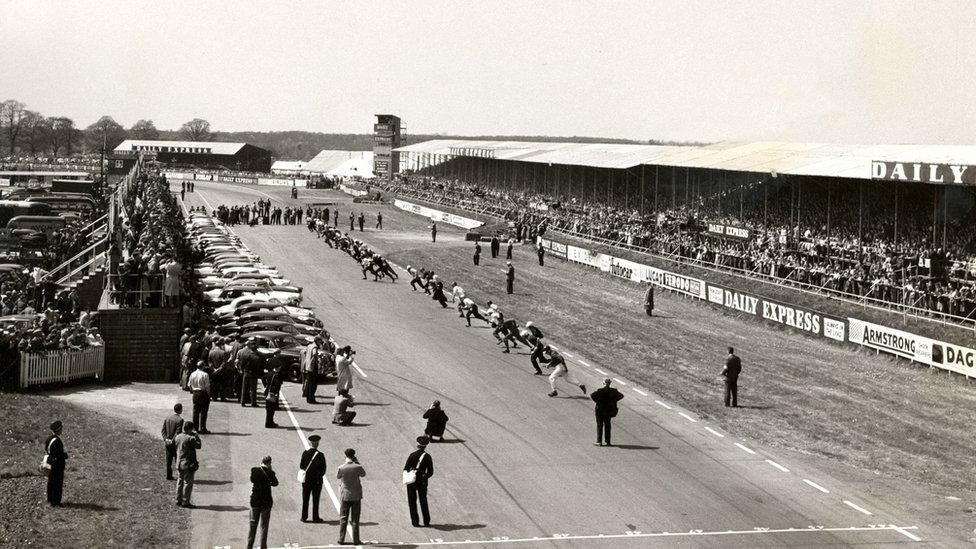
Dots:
(881, 224)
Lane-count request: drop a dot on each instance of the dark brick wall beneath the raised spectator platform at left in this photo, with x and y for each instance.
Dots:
(140, 344)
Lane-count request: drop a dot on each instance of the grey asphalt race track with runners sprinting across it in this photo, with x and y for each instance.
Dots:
(517, 468)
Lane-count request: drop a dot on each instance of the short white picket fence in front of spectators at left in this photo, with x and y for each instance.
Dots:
(61, 366)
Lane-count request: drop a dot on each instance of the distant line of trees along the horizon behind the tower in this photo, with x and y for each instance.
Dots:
(27, 132)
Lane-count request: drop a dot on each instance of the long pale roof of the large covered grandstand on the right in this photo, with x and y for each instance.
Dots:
(812, 159)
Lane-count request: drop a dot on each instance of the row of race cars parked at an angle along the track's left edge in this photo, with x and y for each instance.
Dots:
(250, 298)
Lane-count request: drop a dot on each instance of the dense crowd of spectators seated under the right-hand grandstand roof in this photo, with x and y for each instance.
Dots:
(787, 239)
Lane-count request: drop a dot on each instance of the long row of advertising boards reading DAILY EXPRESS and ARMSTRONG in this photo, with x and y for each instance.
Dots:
(939, 354)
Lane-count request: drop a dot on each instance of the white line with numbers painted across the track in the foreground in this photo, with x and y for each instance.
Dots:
(640, 535)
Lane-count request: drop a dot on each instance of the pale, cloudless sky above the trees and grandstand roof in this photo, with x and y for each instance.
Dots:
(858, 72)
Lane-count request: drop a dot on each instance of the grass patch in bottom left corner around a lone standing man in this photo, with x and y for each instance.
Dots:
(115, 492)
